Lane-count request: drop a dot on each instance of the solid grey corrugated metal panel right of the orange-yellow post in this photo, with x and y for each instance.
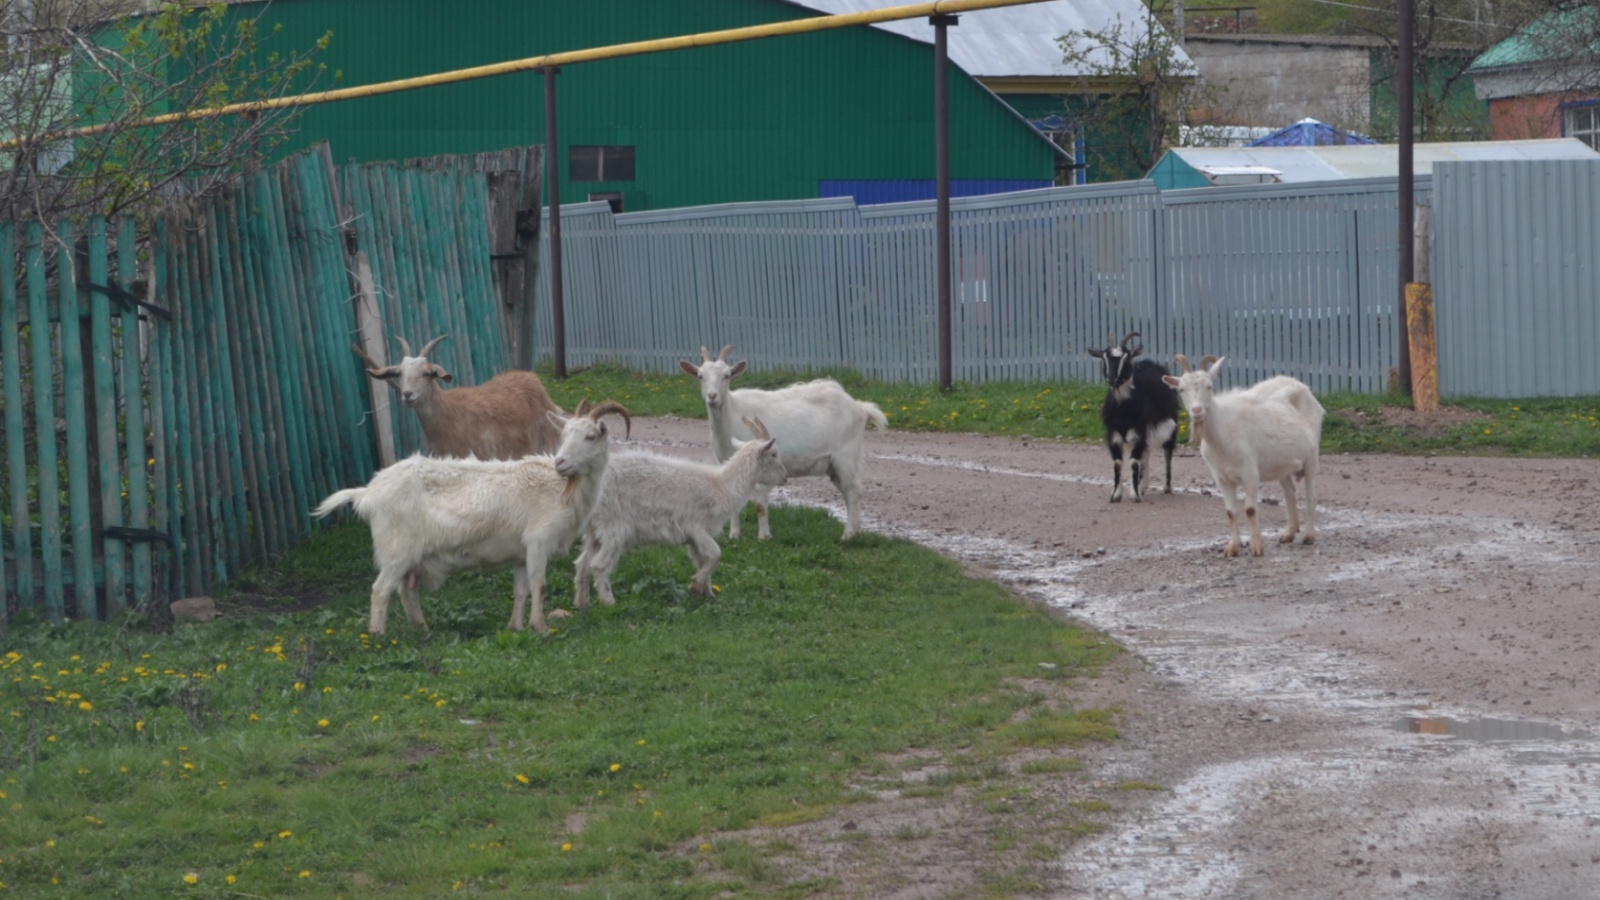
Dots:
(1514, 275)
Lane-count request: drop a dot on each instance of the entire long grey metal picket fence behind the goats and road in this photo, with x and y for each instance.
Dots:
(1292, 279)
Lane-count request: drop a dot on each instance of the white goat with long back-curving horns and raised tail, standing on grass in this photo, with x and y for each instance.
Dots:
(433, 518)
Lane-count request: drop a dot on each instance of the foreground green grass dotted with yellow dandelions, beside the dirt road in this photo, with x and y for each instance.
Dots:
(287, 755)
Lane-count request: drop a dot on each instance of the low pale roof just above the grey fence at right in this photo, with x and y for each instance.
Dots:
(1374, 161)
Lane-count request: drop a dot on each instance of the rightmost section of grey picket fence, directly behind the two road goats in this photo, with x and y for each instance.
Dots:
(1286, 281)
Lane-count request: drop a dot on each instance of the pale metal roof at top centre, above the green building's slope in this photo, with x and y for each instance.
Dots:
(1015, 41)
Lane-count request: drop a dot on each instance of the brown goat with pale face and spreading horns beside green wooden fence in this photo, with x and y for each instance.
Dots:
(503, 419)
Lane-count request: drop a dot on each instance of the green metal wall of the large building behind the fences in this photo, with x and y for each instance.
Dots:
(754, 121)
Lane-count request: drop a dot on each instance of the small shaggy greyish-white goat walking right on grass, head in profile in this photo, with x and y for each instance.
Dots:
(663, 500)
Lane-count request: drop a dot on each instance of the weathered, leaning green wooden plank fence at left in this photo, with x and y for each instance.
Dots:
(172, 422)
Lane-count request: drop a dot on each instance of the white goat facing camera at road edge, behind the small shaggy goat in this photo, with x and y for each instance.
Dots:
(818, 427)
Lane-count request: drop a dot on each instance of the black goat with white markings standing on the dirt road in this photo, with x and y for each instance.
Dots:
(1140, 412)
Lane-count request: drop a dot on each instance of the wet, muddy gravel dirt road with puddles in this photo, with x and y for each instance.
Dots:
(1407, 709)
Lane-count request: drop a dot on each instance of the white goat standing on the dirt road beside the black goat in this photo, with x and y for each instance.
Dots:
(1271, 432)
